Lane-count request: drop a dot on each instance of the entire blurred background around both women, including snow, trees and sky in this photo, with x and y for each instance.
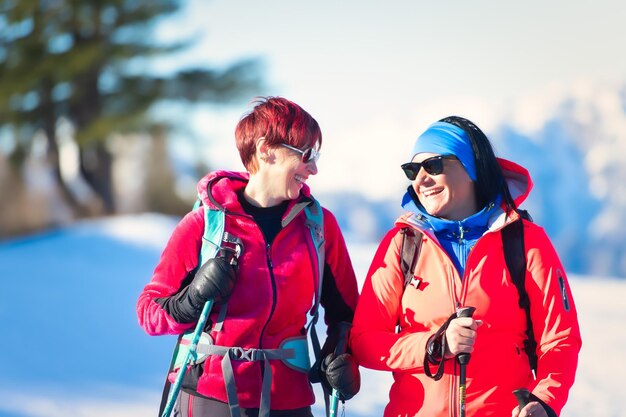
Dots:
(111, 110)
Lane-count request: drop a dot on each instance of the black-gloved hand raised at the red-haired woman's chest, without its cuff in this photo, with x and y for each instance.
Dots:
(214, 280)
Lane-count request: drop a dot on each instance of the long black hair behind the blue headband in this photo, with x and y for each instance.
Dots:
(490, 181)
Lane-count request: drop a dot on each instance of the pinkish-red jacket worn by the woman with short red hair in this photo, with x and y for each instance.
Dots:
(271, 299)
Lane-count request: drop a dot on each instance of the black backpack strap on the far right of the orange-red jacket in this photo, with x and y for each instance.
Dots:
(515, 258)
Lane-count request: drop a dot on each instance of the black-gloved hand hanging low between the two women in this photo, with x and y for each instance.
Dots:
(342, 373)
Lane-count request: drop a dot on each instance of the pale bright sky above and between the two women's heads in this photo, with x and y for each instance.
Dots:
(376, 74)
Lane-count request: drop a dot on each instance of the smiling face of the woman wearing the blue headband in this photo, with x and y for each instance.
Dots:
(449, 195)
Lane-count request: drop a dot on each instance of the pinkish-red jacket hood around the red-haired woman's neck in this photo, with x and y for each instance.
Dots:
(218, 189)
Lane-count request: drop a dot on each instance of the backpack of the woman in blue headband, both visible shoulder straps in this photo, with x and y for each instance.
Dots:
(514, 255)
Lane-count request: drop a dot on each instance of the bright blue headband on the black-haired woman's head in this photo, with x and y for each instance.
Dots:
(447, 139)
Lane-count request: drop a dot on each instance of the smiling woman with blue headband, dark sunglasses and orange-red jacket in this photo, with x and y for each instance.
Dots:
(447, 281)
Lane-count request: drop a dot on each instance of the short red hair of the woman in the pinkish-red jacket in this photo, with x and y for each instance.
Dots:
(278, 120)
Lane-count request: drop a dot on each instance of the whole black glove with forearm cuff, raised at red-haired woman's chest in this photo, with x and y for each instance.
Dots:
(213, 281)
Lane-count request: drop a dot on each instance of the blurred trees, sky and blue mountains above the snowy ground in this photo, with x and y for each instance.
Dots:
(113, 107)
